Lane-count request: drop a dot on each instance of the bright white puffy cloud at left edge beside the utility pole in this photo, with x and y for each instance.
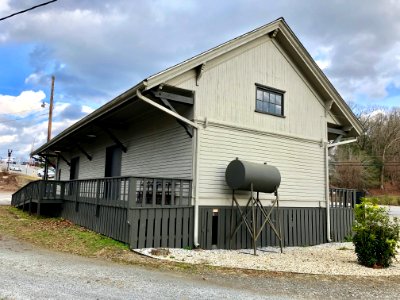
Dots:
(22, 105)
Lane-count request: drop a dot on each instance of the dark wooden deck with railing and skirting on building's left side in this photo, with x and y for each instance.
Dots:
(142, 212)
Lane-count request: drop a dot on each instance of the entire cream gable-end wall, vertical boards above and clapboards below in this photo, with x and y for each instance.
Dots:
(225, 104)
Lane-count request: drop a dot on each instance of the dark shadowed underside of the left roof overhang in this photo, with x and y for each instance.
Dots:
(116, 114)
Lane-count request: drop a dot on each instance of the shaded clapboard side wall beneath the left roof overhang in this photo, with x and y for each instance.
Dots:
(155, 149)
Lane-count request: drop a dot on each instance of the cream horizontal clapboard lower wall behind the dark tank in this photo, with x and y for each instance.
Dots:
(300, 162)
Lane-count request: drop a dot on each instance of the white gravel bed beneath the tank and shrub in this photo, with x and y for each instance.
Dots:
(327, 259)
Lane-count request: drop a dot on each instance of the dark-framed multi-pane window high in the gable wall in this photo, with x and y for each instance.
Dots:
(269, 100)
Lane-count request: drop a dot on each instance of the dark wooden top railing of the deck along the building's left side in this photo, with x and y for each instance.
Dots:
(146, 191)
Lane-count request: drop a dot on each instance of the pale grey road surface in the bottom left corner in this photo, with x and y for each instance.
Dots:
(31, 273)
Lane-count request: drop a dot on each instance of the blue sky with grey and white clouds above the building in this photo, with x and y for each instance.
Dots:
(99, 49)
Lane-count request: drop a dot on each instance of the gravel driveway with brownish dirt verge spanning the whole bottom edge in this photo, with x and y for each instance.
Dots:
(27, 272)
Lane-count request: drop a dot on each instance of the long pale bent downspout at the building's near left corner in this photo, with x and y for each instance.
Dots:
(196, 146)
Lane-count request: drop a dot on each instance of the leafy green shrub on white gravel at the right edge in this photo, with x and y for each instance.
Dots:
(376, 236)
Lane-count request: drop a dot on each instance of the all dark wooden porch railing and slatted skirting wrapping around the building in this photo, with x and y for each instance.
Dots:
(157, 212)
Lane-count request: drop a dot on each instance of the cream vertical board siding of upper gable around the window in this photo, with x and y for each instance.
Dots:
(226, 91)
